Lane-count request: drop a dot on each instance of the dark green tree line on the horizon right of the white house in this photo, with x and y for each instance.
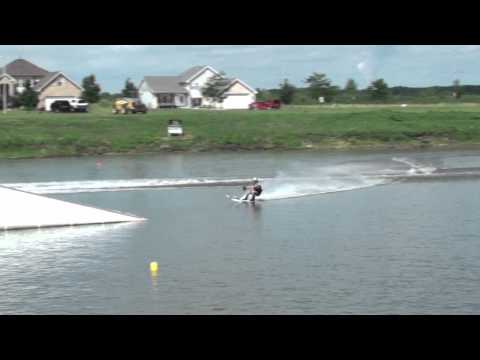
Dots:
(320, 89)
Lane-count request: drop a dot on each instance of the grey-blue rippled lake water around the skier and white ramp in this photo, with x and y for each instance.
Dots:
(340, 233)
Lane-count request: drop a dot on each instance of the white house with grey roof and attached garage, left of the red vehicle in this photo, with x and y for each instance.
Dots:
(185, 91)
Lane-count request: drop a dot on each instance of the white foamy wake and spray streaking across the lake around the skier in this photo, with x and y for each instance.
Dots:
(305, 182)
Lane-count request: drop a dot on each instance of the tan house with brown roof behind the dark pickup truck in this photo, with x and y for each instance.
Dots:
(49, 85)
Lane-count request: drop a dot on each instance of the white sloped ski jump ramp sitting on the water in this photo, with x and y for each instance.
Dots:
(24, 210)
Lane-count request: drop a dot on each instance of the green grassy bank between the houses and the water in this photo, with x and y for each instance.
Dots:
(32, 134)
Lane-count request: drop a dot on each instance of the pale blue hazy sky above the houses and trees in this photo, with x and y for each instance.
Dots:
(260, 66)
